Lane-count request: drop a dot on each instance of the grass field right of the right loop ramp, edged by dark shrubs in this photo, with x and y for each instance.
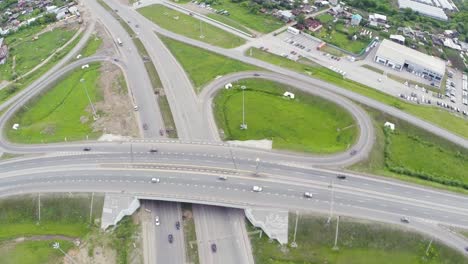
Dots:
(415, 155)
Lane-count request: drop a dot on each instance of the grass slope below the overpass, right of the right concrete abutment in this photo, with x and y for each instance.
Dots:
(359, 242)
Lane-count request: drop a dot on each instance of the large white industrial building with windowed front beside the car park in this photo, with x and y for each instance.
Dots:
(399, 57)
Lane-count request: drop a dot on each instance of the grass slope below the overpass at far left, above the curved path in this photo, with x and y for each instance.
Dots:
(61, 214)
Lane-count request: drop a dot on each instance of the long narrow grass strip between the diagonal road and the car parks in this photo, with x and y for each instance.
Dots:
(431, 114)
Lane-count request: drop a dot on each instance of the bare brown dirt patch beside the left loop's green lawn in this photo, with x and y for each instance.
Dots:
(115, 110)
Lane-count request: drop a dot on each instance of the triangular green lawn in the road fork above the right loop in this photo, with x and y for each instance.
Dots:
(201, 65)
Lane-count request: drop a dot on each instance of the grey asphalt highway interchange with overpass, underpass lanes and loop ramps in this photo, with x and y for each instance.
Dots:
(189, 169)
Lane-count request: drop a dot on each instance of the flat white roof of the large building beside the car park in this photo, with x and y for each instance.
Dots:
(399, 54)
